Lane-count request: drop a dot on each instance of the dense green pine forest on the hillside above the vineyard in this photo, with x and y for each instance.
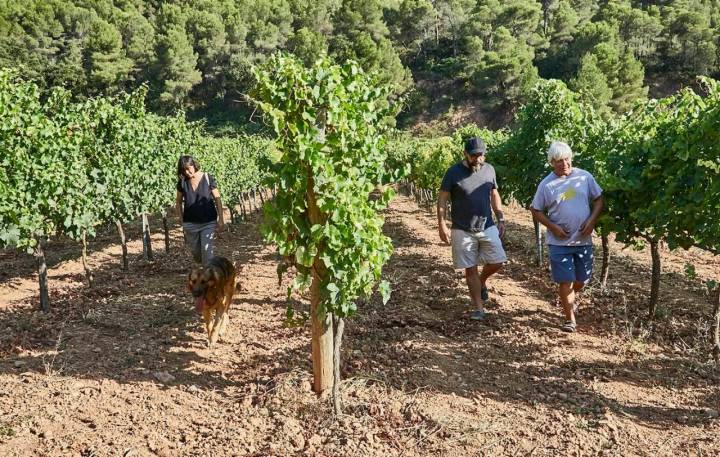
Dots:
(439, 55)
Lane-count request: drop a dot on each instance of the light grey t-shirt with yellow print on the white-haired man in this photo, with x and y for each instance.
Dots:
(567, 202)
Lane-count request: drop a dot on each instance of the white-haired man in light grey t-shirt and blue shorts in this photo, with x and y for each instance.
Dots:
(562, 203)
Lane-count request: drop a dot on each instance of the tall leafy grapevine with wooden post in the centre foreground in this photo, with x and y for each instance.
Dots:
(329, 124)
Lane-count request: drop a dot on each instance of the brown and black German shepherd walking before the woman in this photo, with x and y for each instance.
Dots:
(213, 286)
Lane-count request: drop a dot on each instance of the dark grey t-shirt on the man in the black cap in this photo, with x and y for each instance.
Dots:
(470, 196)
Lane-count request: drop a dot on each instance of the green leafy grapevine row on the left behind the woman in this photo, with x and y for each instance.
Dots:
(69, 167)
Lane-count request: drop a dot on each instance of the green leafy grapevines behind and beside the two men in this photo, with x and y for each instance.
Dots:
(659, 165)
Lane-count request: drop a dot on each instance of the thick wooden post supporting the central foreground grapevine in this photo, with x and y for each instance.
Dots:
(322, 329)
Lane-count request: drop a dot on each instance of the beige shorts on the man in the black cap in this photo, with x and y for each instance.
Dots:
(470, 249)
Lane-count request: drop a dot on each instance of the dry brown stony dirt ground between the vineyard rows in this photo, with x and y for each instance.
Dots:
(123, 369)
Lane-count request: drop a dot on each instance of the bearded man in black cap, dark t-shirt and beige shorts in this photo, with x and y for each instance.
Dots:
(471, 187)
